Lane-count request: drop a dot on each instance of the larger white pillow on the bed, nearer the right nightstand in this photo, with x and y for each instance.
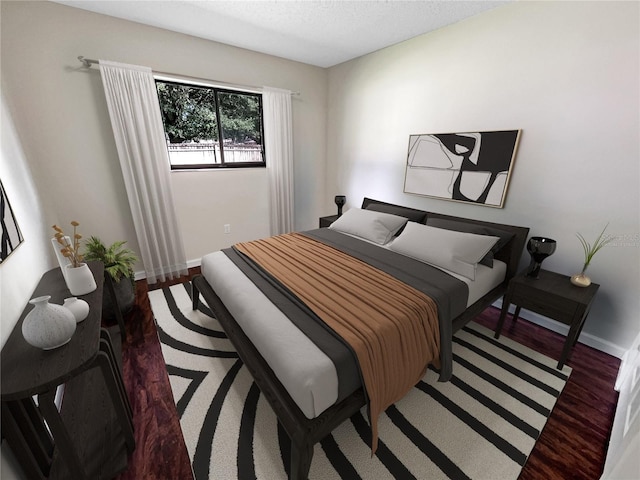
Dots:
(457, 252)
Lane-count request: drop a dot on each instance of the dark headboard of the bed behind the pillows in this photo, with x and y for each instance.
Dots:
(510, 253)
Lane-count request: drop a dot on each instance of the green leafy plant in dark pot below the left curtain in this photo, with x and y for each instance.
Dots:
(118, 264)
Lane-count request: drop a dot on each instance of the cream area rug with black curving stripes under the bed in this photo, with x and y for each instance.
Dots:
(481, 425)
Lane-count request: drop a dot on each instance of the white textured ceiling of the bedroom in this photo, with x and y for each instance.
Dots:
(317, 32)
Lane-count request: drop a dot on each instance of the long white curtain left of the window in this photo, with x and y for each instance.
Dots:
(137, 126)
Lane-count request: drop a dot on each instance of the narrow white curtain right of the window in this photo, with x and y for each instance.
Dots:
(279, 156)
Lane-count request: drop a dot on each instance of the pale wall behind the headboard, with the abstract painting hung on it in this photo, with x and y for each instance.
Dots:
(567, 74)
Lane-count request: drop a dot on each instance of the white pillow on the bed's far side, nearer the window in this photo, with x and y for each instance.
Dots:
(374, 226)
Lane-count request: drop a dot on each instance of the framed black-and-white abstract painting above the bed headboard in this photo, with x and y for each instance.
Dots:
(467, 167)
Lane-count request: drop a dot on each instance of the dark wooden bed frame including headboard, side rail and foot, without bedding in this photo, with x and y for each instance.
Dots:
(304, 432)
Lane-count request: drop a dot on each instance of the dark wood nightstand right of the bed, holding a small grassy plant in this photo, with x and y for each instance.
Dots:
(553, 296)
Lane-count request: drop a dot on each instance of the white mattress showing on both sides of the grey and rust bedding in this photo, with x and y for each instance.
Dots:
(303, 369)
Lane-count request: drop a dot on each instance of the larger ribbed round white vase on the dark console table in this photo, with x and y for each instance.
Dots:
(48, 325)
